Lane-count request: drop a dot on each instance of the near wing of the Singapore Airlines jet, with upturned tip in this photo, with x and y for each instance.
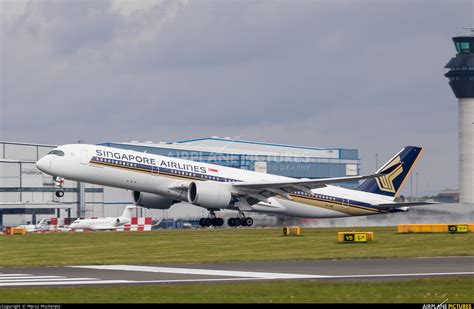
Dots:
(261, 190)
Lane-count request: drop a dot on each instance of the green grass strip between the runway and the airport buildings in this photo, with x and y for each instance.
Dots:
(220, 245)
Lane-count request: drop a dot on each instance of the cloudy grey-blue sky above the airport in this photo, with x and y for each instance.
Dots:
(352, 74)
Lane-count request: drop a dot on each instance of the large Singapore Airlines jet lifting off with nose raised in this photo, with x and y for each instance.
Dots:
(160, 181)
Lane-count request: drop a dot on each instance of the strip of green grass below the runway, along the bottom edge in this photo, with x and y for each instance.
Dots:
(433, 290)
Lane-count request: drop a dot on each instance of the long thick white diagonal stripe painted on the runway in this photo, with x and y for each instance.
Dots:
(206, 272)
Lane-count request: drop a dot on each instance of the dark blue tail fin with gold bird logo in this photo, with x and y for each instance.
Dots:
(391, 184)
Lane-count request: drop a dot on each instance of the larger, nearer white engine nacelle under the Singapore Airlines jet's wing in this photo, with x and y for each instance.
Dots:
(209, 194)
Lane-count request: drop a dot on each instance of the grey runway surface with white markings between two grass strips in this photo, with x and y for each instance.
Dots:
(372, 269)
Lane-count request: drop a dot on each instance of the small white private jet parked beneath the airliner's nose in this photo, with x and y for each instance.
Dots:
(108, 223)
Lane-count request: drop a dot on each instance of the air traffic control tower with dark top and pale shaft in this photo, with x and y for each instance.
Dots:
(461, 80)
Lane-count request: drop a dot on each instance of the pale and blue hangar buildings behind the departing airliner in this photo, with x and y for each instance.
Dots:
(27, 195)
